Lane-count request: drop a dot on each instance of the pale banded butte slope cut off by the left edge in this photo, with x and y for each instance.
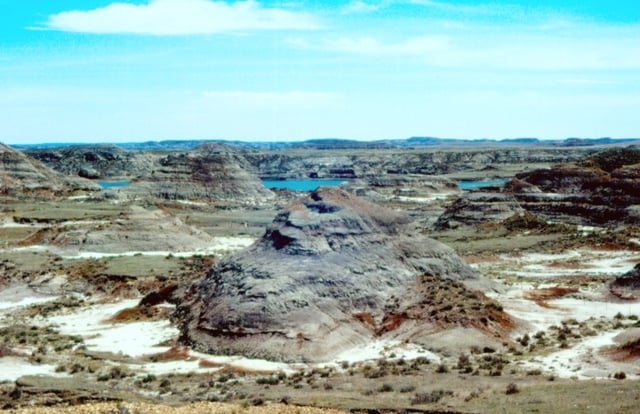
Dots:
(22, 176)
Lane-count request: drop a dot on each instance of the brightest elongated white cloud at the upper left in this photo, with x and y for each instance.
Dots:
(181, 17)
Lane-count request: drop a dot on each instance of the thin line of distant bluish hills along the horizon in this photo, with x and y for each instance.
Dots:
(339, 143)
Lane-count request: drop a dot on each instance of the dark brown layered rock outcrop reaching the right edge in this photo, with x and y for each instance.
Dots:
(603, 190)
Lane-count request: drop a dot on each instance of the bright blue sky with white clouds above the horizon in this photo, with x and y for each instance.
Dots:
(113, 71)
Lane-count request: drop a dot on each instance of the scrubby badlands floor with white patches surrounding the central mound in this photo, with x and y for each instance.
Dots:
(71, 330)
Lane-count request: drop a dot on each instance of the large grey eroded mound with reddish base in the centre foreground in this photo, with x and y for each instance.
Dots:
(330, 273)
